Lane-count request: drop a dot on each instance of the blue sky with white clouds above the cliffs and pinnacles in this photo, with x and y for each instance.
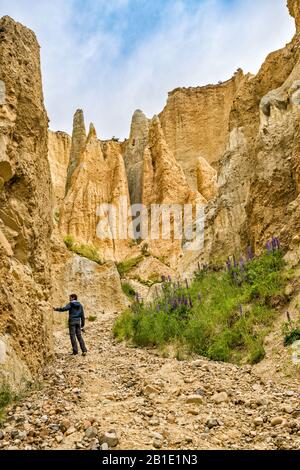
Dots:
(111, 57)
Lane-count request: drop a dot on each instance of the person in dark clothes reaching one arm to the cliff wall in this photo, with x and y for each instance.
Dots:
(76, 323)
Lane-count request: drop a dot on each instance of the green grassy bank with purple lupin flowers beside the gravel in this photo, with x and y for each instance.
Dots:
(223, 315)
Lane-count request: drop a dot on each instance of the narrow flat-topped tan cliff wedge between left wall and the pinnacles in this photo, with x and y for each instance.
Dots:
(59, 149)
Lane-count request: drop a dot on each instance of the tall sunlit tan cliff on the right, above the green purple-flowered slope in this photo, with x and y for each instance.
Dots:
(259, 174)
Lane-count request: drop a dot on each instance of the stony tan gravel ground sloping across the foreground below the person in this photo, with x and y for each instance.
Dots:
(132, 399)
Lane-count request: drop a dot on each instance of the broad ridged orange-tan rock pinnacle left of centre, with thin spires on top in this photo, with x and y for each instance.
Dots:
(98, 177)
